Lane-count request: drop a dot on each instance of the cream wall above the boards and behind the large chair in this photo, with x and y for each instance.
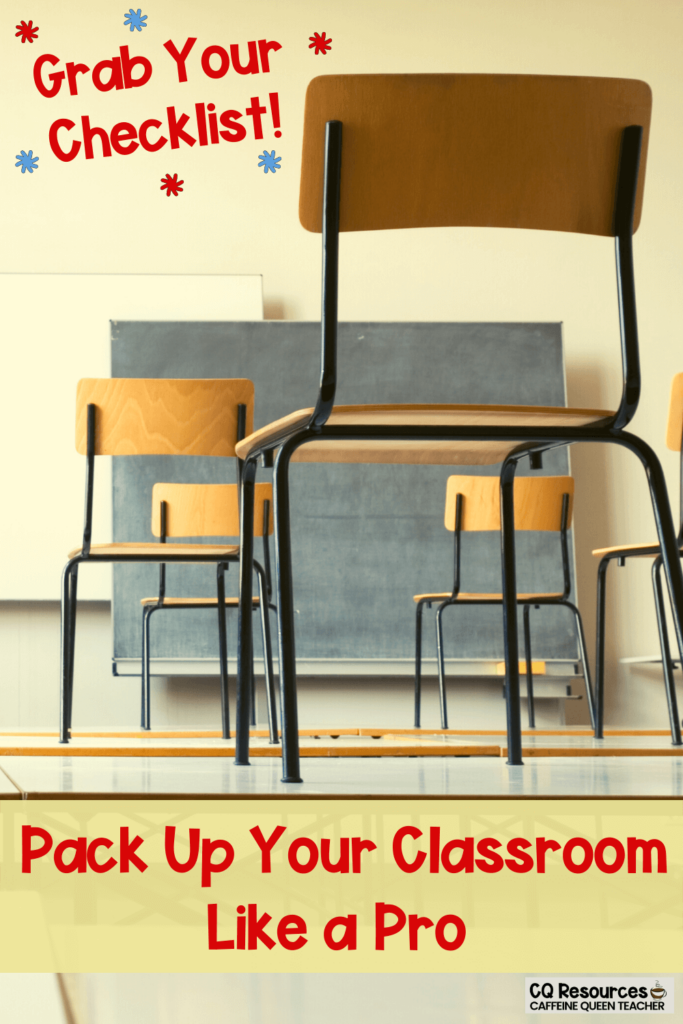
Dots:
(109, 216)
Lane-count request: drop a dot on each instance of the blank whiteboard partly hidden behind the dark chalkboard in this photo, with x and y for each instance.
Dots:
(57, 330)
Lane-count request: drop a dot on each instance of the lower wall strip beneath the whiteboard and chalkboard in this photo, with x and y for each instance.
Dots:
(30, 696)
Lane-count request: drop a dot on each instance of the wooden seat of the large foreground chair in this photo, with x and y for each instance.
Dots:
(429, 452)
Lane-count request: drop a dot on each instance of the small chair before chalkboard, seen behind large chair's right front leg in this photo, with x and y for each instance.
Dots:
(473, 503)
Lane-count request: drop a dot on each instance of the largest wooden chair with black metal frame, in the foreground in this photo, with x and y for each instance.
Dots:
(536, 152)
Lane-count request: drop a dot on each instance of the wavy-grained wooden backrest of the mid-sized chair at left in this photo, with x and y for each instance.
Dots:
(163, 417)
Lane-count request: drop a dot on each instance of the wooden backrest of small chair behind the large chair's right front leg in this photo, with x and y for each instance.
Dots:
(538, 502)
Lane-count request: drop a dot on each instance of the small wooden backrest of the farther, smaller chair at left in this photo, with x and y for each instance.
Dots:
(206, 509)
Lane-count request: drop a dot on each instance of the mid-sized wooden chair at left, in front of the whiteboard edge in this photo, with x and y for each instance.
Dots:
(125, 417)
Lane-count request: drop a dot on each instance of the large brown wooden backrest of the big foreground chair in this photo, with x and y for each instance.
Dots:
(487, 151)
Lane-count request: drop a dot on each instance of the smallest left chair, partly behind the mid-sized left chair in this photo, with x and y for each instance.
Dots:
(210, 510)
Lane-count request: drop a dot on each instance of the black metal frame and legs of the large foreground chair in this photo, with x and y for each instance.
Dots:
(531, 441)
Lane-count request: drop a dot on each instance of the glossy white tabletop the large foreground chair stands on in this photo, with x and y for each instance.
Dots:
(67, 777)
